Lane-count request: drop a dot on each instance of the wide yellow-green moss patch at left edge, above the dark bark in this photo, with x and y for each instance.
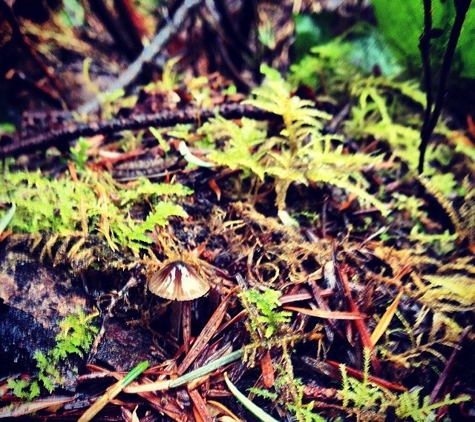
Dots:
(92, 204)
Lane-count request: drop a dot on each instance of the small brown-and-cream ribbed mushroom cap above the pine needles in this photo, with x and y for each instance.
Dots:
(178, 281)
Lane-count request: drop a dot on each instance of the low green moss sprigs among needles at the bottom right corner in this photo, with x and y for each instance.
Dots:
(364, 398)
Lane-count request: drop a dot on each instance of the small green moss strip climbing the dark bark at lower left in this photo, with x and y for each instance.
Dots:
(75, 337)
